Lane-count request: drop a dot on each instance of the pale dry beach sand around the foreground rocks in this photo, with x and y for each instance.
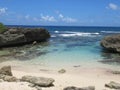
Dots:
(79, 77)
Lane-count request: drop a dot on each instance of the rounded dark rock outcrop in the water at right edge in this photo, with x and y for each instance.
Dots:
(111, 43)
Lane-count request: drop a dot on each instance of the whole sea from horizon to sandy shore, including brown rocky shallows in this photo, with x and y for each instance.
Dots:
(69, 46)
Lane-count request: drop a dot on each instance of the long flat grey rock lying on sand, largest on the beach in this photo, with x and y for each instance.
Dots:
(41, 81)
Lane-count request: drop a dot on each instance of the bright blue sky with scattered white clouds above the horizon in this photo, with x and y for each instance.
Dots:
(60, 12)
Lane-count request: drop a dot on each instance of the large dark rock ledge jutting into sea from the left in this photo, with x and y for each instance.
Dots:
(21, 36)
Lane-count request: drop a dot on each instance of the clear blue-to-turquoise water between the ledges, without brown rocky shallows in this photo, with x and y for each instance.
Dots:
(72, 45)
